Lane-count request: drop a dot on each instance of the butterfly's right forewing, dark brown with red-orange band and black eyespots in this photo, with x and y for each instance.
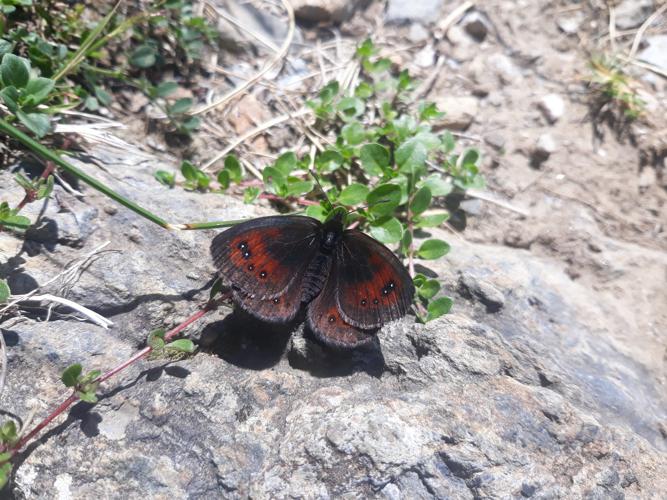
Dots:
(373, 286)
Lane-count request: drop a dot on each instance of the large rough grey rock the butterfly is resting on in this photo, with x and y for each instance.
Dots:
(534, 399)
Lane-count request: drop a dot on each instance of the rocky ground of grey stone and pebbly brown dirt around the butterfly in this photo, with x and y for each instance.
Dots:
(547, 380)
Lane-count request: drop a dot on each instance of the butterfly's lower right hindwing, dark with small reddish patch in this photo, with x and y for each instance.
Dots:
(326, 322)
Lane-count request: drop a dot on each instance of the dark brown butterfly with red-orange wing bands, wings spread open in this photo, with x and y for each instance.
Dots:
(351, 283)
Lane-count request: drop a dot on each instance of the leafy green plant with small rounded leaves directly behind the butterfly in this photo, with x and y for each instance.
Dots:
(385, 161)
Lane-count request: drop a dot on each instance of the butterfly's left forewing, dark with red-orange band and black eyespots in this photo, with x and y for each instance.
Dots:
(264, 257)
